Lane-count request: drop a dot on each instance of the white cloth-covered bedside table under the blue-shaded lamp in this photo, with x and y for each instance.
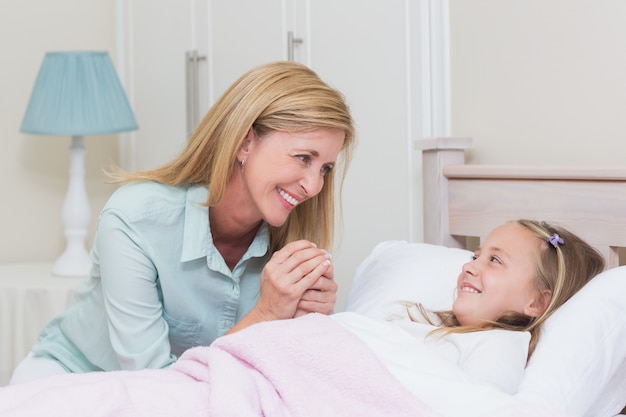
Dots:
(30, 296)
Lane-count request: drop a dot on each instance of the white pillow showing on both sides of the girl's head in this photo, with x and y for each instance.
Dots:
(579, 365)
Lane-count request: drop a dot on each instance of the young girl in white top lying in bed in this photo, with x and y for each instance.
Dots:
(522, 272)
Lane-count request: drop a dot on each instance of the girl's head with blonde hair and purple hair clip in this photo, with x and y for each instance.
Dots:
(518, 277)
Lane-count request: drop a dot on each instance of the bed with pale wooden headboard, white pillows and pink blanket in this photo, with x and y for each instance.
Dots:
(312, 366)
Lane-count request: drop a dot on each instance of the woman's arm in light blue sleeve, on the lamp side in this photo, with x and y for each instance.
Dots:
(137, 329)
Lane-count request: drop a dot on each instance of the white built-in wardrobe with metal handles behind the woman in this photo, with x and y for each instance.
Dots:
(177, 56)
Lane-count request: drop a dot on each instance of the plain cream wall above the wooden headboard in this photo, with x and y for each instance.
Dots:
(540, 81)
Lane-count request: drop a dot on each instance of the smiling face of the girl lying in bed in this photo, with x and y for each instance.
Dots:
(500, 278)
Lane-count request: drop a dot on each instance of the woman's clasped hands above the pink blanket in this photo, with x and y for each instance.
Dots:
(299, 277)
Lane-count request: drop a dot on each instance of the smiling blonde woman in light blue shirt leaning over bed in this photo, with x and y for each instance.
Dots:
(229, 233)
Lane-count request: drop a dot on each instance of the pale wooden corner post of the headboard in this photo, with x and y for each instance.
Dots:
(437, 153)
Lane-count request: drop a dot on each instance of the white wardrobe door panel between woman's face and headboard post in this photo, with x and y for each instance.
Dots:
(363, 47)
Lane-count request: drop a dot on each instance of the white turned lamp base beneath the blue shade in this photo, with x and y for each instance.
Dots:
(75, 261)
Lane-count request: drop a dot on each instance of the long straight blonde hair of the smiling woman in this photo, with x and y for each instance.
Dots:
(278, 96)
